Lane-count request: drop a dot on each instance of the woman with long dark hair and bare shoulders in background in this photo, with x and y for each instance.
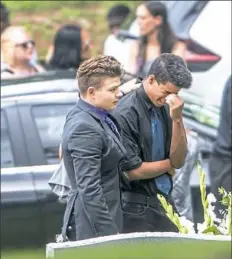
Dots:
(156, 38)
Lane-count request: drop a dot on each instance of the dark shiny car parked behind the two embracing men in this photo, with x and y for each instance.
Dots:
(33, 112)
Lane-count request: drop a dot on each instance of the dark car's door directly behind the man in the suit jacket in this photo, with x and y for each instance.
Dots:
(46, 121)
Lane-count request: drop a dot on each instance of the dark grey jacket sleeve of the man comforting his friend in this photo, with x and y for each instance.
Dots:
(86, 147)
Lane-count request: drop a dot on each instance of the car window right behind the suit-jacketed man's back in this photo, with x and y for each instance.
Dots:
(50, 120)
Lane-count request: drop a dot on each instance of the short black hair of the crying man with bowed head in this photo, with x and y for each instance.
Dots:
(171, 68)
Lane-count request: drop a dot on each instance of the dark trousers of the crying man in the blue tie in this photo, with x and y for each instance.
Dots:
(145, 214)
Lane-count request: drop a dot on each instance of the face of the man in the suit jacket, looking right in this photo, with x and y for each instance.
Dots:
(107, 96)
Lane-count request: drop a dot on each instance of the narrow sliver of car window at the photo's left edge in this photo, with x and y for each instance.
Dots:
(7, 158)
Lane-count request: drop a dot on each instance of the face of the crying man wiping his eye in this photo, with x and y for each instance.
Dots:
(158, 92)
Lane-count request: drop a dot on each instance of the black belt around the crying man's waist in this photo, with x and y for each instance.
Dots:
(139, 198)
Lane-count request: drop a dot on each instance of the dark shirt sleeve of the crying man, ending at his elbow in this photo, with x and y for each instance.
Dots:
(130, 136)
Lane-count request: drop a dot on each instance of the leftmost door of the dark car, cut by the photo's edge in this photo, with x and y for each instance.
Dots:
(20, 221)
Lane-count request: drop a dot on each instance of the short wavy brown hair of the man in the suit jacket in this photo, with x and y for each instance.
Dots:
(94, 70)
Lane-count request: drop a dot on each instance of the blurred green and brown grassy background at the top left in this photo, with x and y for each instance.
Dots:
(43, 18)
